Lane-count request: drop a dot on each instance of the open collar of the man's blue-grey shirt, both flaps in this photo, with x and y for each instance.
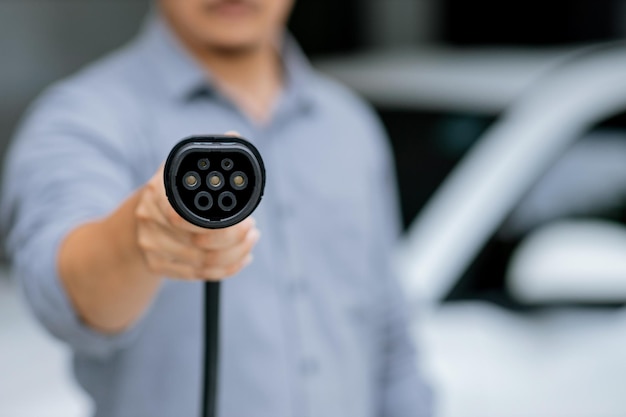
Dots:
(183, 77)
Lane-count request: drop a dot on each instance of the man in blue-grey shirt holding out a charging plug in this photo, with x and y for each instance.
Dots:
(314, 326)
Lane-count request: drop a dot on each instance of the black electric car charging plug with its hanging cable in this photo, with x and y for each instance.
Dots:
(195, 183)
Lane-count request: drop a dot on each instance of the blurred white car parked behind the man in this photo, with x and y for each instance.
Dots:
(516, 262)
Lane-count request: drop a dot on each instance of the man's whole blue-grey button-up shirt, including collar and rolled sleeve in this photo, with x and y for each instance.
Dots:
(315, 326)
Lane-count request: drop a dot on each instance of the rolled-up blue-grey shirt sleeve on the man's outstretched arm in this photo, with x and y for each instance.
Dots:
(66, 166)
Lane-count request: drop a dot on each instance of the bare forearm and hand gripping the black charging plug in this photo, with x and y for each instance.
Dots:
(113, 267)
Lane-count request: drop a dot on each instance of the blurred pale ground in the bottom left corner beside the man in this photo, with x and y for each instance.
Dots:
(35, 375)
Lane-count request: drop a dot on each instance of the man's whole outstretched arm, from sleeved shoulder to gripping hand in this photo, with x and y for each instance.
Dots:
(88, 248)
